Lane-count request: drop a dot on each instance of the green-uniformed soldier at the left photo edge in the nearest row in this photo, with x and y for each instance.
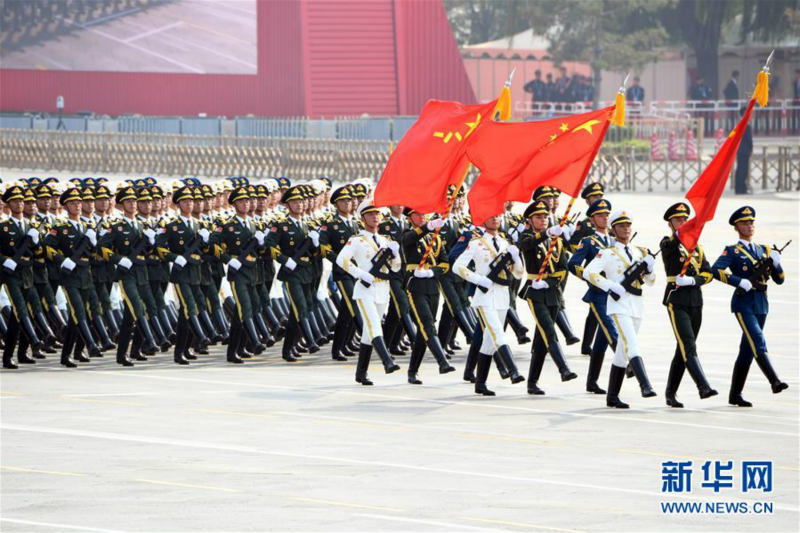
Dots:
(17, 244)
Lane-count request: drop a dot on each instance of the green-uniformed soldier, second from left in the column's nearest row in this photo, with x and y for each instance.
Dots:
(70, 243)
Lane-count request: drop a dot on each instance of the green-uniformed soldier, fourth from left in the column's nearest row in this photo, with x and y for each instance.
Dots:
(181, 245)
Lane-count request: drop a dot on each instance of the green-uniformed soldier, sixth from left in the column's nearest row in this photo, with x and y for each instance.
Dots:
(292, 245)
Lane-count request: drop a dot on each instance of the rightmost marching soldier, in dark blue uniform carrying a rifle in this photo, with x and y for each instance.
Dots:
(749, 267)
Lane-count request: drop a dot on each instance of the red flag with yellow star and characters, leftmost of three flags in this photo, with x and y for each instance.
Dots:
(431, 156)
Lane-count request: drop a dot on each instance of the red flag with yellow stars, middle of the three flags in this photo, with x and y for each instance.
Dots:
(516, 158)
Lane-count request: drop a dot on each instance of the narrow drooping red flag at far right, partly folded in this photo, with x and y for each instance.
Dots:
(706, 191)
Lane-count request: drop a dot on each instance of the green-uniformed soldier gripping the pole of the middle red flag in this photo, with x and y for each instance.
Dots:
(542, 294)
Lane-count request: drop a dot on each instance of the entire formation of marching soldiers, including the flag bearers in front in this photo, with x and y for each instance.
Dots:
(139, 269)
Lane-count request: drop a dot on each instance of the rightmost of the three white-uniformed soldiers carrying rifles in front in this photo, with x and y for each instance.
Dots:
(607, 271)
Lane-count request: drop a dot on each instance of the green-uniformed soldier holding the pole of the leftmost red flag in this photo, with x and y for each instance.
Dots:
(423, 289)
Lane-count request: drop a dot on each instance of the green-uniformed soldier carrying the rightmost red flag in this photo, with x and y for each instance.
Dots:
(683, 298)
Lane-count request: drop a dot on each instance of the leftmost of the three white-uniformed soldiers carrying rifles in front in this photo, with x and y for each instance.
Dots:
(371, 292)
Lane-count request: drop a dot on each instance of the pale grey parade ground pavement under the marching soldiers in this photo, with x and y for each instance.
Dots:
(272, 446)
